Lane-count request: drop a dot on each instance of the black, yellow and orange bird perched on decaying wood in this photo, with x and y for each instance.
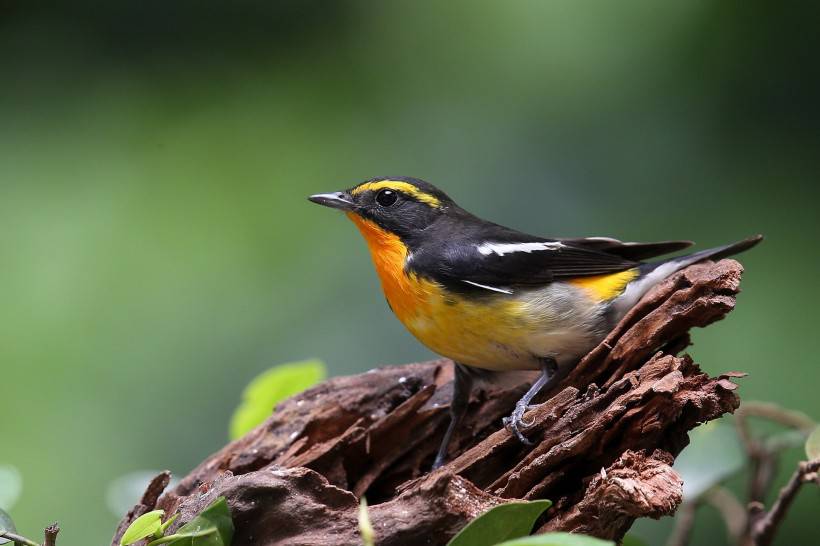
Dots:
(493, 299)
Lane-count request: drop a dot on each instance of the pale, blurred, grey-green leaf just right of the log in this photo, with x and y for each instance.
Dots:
(713, 454)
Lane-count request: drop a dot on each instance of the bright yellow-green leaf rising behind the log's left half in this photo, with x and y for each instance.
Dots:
(262, 394)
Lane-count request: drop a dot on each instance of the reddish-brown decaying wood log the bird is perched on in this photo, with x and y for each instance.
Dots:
(605, 440)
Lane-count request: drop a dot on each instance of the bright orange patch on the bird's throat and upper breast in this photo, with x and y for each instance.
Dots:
(405, 293)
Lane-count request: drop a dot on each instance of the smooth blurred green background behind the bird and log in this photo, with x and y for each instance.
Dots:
(158, 251)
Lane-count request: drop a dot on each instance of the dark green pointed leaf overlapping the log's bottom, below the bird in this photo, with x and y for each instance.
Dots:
(500, 523)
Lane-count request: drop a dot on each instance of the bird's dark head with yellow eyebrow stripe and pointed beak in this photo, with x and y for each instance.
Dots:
(398, 205)
